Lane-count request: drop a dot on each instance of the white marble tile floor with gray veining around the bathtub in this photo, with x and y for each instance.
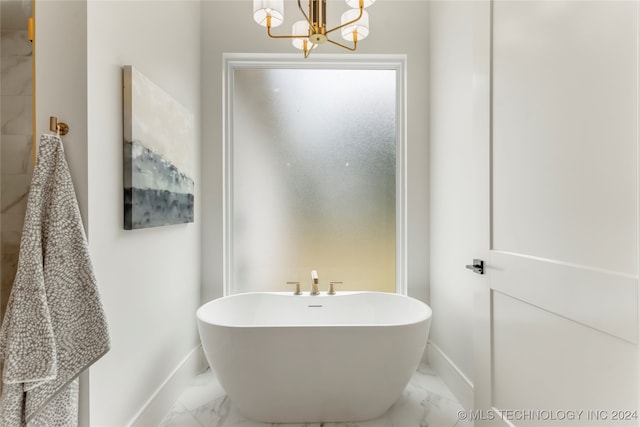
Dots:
(426, 402)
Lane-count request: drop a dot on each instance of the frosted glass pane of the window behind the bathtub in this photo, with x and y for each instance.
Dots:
(313, 179)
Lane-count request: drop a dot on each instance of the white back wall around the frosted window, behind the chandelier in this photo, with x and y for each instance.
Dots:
(228, 26)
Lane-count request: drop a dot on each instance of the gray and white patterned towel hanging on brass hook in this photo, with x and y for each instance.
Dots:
(54, 326)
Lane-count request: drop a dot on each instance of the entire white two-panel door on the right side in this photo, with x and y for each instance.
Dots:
(556, 112)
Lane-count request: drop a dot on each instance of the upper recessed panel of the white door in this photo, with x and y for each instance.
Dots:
(564, 132)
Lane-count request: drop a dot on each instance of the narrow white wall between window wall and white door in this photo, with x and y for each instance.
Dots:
(453, 205)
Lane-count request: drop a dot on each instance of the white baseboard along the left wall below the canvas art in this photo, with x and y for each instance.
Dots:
(161, 402)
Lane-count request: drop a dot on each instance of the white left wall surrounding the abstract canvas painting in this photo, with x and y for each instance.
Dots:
(149, 279)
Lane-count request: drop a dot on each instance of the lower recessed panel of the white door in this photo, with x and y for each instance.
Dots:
(546, 362)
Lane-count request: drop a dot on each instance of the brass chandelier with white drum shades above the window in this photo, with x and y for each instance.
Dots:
(312, 31)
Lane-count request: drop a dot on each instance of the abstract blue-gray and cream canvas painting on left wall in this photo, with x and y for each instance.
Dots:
(158, 155)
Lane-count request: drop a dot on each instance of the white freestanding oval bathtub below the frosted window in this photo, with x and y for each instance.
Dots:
(283, 358)
